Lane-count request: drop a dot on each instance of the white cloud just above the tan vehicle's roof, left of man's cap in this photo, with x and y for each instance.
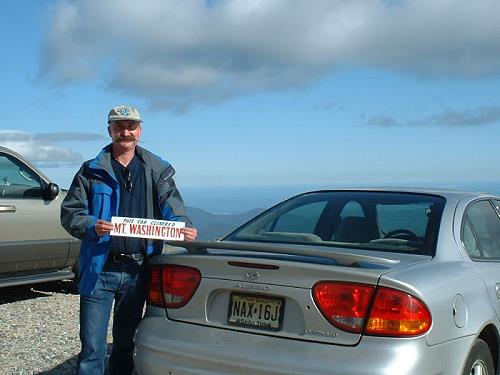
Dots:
(41, 149)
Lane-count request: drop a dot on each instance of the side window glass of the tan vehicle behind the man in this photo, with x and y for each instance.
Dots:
(17, 180)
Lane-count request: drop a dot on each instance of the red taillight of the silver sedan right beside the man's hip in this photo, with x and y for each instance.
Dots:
(172, 286)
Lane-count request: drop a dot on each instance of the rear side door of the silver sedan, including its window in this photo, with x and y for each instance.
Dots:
(481, 239)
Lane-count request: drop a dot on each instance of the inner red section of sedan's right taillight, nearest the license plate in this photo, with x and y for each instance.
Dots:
(343, 304)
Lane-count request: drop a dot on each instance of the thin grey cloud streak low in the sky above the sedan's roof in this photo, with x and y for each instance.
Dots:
(471, 118)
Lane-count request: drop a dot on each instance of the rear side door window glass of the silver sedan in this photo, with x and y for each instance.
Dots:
(486, 225)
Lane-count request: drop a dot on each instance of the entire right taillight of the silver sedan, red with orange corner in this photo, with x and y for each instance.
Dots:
(360, 308)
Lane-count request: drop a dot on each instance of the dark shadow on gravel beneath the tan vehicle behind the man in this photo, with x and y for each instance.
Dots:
(31, 291)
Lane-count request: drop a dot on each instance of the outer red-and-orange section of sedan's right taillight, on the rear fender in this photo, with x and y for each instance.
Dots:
(395, 313)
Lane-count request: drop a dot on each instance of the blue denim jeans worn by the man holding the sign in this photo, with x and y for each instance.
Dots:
(123, 282)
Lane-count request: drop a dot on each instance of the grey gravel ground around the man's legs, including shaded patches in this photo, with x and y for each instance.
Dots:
(39, 329)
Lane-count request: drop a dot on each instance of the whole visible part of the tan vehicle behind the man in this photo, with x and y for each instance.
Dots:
(34, 247)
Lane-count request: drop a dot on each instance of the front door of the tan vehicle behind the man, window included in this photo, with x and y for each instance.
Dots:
(31, 237)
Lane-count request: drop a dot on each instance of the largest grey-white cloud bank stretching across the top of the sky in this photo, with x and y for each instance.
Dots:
(179, 53)
